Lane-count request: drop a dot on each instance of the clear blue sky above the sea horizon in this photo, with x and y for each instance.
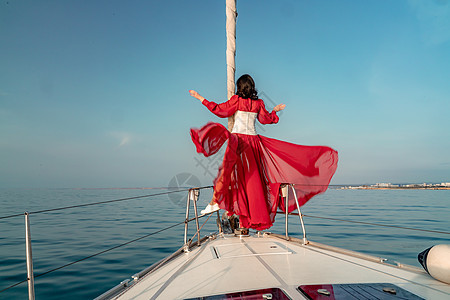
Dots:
(94, 93)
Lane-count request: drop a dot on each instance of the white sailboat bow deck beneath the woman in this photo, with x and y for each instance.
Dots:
(228, 264)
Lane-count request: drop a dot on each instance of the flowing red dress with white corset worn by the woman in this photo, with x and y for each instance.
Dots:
(254, 166)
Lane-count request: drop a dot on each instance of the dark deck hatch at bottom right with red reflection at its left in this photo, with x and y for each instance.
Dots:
(356, 291)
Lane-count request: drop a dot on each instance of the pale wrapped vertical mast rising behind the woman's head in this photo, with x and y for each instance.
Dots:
(231, 52)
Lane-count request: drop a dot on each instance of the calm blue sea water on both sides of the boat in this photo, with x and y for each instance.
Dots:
(64, 236)
